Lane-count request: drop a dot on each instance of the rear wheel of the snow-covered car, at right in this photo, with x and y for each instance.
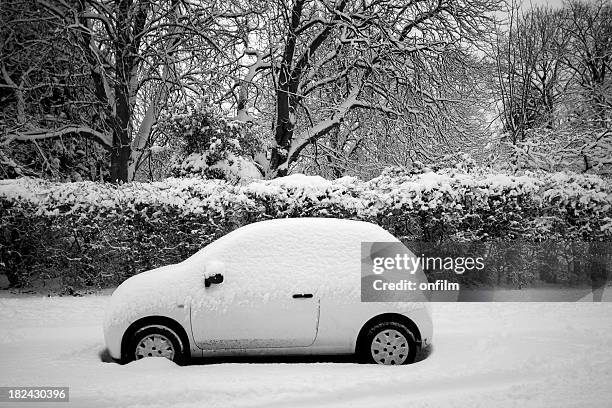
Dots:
(388, 343)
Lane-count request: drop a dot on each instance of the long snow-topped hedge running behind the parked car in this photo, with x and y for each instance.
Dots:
(99, 234)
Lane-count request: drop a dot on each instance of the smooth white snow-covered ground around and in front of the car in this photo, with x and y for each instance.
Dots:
(485, 355)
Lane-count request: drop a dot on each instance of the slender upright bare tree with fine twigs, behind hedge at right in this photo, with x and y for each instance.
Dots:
(529, 60)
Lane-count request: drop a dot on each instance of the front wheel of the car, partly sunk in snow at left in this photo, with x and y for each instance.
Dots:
(156, 341)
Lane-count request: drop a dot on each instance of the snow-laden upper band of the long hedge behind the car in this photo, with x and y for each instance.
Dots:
(450, 194)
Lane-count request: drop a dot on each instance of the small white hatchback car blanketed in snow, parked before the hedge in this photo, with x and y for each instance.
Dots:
(277, 287)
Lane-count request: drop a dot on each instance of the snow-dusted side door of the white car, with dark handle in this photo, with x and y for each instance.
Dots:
(262, 302)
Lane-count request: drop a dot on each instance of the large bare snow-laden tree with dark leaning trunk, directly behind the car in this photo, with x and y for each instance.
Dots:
(327, 60)
